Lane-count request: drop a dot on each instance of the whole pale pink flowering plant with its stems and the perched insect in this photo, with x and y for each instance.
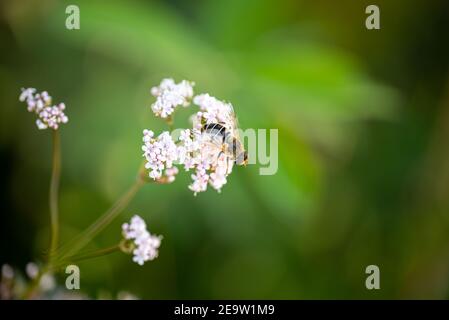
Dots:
(209, 148)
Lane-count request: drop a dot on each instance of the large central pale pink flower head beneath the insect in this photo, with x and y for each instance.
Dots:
(196, 148)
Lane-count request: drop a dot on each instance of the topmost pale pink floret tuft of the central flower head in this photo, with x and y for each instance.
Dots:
(170, 95)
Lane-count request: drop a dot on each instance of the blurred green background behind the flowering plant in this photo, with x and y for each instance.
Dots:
(363, 119)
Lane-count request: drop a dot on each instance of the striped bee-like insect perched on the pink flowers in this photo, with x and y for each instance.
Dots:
(228, 140)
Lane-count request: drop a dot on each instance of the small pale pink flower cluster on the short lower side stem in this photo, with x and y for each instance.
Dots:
(146, 244)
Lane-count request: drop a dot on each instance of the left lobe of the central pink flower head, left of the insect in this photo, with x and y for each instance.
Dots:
(160, 153)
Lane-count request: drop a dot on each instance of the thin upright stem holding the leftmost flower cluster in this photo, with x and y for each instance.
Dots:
(54, 191)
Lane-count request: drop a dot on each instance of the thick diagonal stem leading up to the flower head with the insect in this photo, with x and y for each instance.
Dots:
(85, 237)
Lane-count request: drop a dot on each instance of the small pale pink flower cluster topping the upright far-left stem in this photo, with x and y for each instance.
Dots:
(40, 103)
